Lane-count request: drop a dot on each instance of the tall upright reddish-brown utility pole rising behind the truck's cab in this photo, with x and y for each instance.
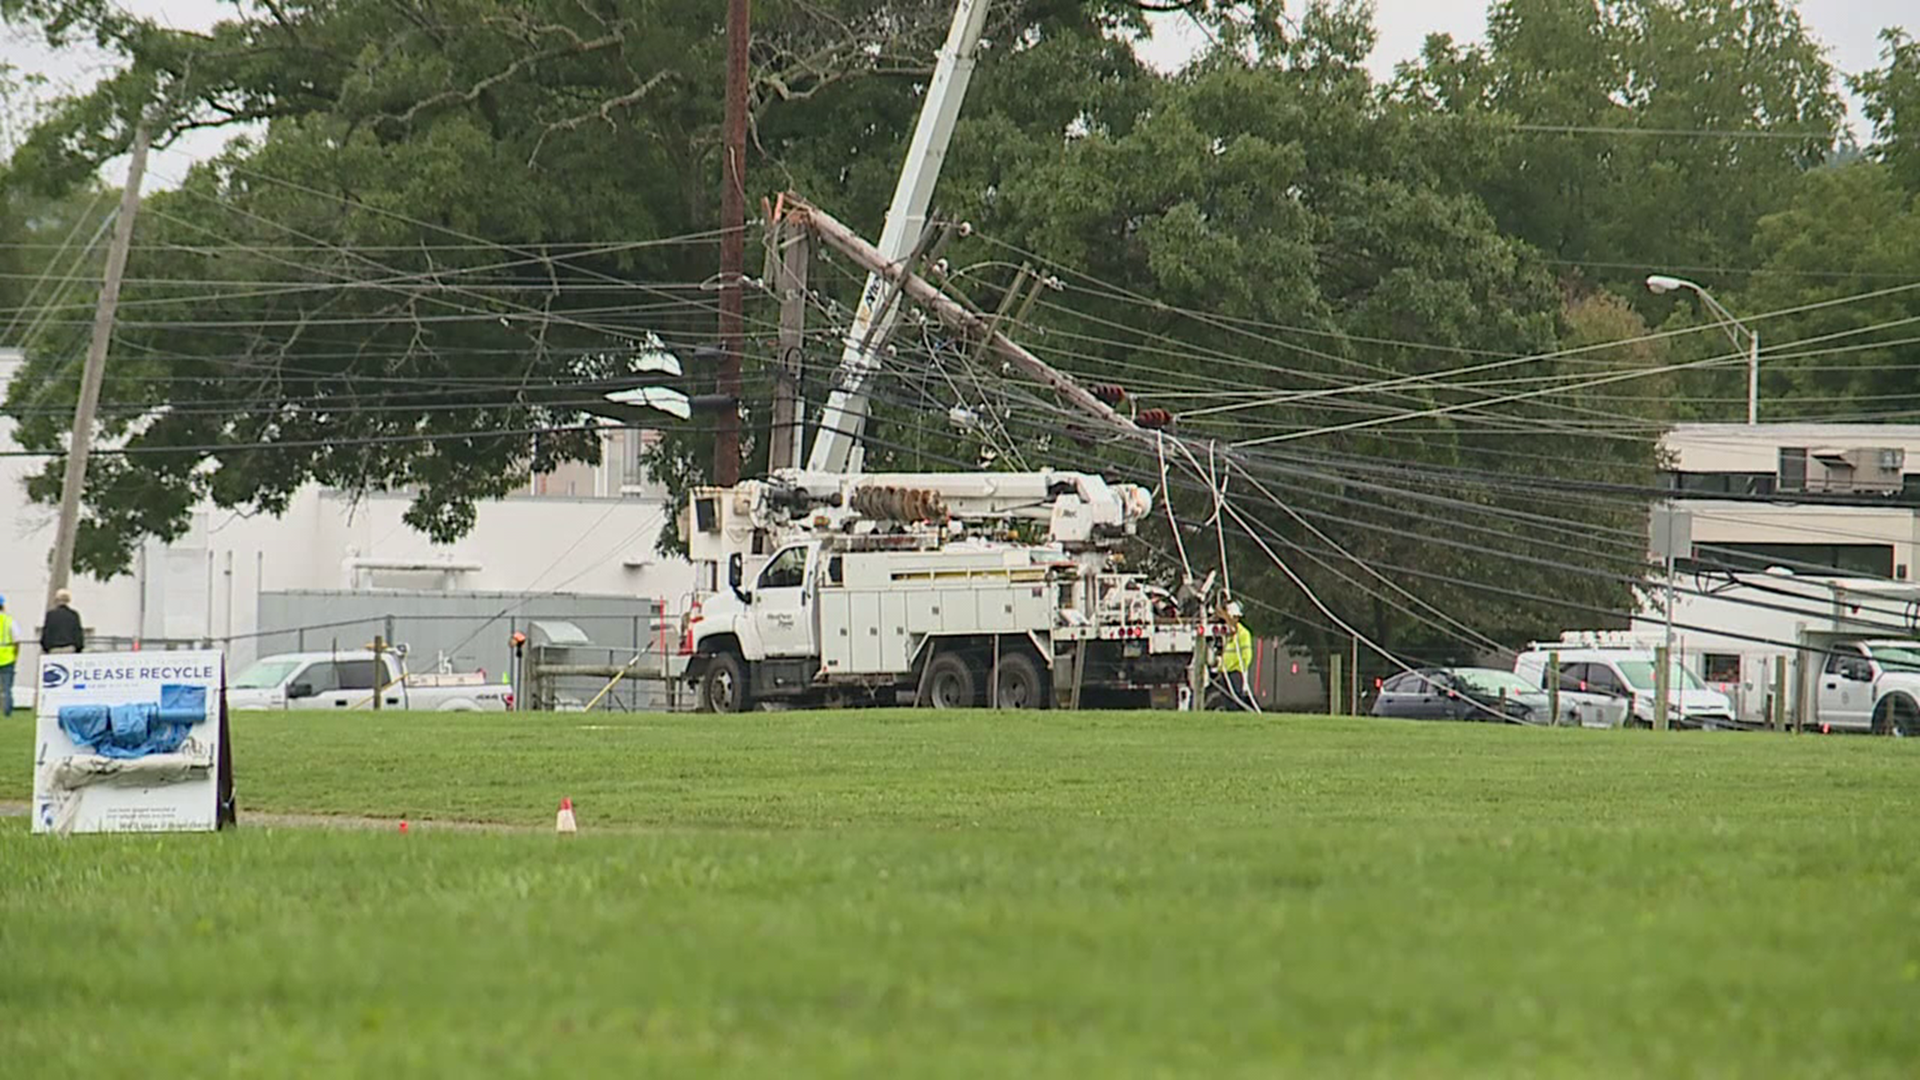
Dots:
(734, 239)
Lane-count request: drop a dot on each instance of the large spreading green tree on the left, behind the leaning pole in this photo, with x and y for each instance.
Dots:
(406, 282)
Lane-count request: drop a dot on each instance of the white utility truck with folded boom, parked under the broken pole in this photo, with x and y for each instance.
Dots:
(923, 589)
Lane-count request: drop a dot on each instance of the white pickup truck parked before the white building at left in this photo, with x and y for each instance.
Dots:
(347, 681)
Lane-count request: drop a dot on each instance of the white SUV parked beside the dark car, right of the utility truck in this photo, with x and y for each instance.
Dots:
(1614, 687)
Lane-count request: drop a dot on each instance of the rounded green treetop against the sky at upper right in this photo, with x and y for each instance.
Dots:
(1639, 134)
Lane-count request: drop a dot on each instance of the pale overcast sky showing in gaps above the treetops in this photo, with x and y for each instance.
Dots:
(1848, 28)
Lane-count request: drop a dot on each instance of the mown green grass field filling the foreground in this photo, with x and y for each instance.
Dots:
(913, 895)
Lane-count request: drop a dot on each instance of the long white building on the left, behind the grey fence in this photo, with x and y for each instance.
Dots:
(581, 529)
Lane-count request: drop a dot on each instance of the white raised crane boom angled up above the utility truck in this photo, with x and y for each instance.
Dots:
(844, 418)
